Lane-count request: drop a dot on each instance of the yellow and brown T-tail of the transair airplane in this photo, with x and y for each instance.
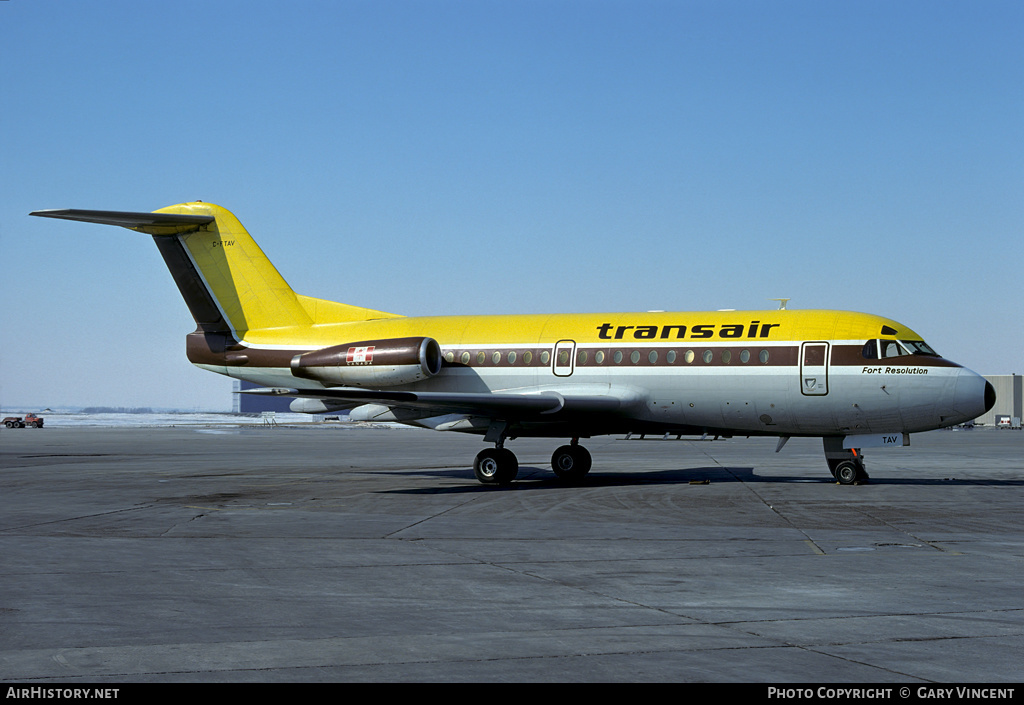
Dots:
(229, 284)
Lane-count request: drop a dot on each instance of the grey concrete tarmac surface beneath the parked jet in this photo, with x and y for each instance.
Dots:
(326, 554)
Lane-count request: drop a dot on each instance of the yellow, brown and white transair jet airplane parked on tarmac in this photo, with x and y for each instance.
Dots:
(857, 381)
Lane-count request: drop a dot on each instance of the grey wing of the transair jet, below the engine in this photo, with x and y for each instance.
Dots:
(486, 404)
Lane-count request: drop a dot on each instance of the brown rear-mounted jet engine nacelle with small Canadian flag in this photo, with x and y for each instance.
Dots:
(371, 363)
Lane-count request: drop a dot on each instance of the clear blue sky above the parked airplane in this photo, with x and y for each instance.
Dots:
(441, 157)
